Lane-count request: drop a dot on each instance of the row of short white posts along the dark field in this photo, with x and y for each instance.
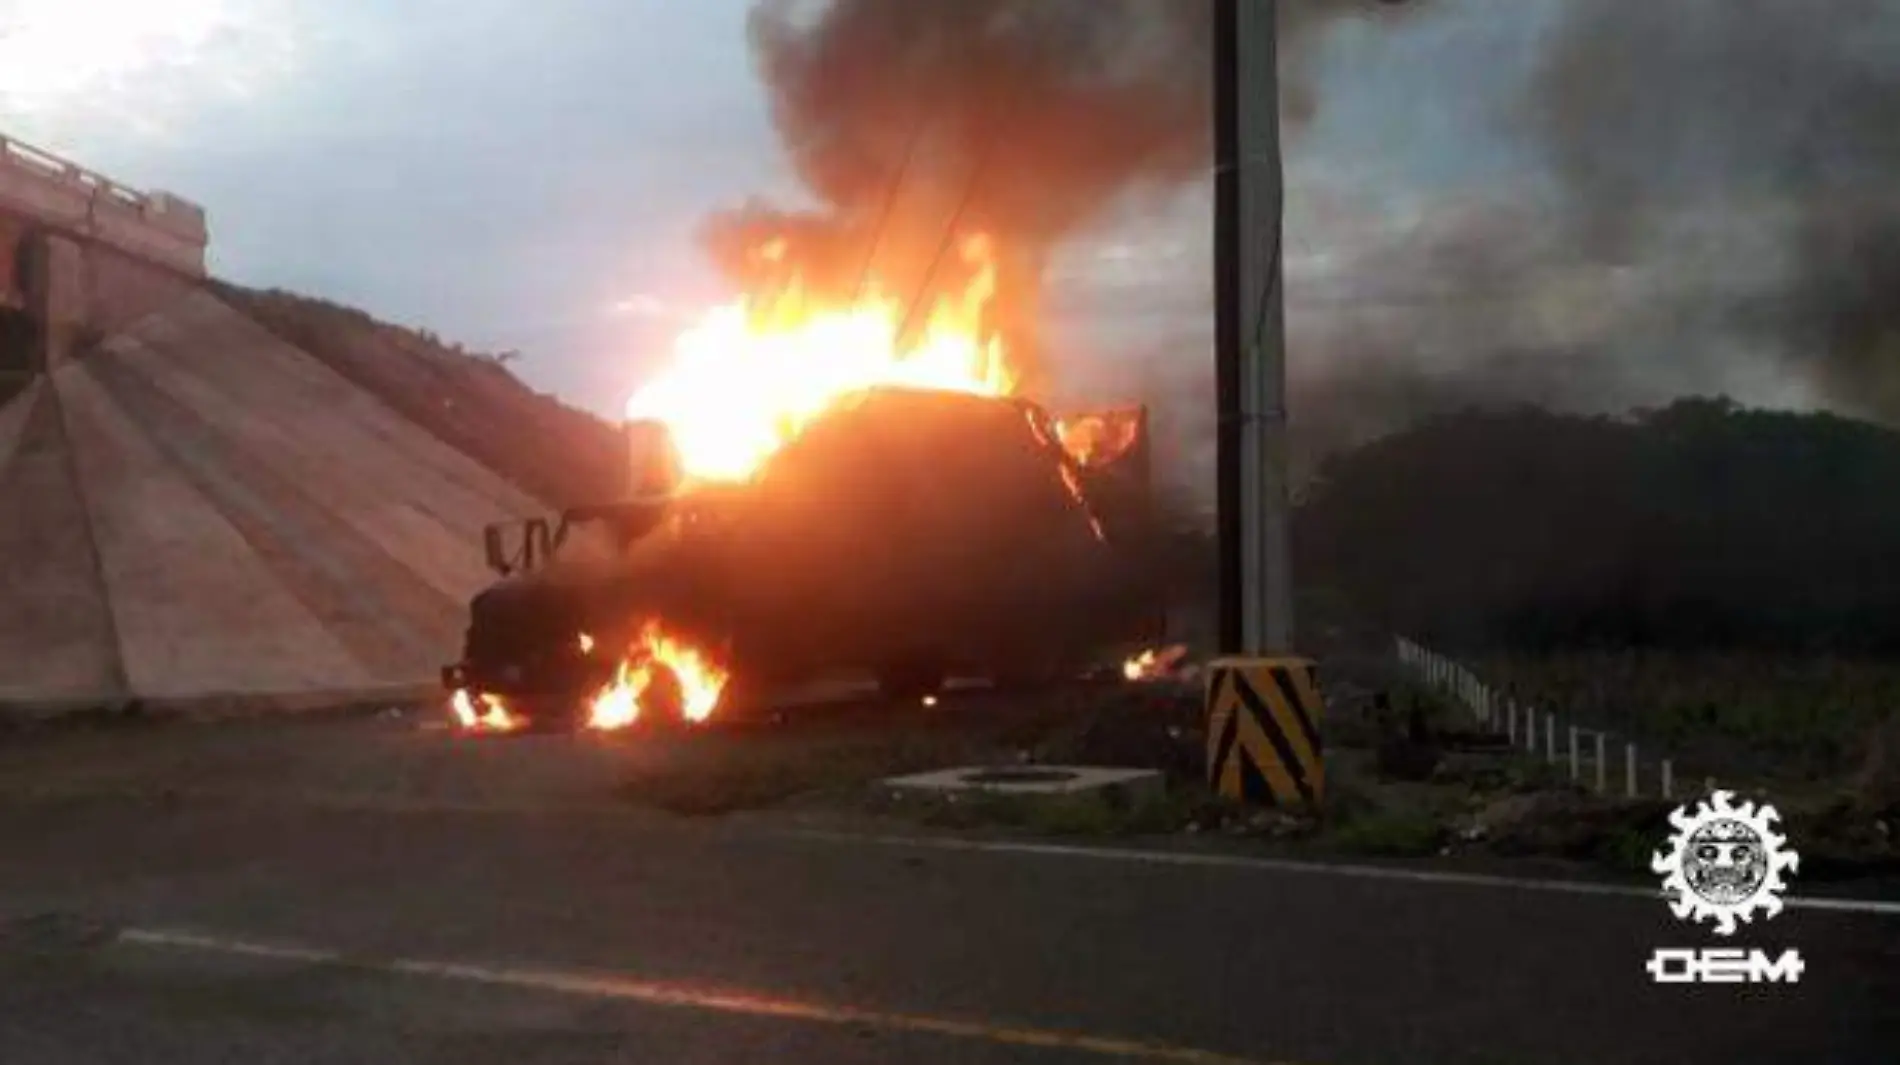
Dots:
(1534, 732)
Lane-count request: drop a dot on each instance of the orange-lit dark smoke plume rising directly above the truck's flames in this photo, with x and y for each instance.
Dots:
(1019, 119)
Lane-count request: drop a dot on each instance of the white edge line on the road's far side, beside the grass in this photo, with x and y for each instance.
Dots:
(1867, 906)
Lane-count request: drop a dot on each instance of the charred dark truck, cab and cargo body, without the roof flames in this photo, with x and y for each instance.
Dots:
(907, 536)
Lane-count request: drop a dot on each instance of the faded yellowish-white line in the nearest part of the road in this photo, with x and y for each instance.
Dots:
(691, 998)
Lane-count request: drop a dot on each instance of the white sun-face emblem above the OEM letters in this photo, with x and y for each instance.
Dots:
(1724, 863)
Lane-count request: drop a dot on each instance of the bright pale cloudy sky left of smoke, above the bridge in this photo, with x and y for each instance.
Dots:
(503, 174)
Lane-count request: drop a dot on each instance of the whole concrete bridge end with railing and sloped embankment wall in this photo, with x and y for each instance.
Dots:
(193, 508)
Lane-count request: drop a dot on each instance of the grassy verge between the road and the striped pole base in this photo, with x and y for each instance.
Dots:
(1367, 813)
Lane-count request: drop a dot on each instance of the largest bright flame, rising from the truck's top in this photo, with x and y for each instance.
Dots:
(755, 373)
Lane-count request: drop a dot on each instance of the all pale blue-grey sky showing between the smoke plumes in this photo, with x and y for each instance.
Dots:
(529, 176)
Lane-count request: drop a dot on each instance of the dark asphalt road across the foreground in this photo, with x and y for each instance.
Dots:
(280, 927)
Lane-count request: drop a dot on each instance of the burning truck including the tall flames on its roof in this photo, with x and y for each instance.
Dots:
(820, 491)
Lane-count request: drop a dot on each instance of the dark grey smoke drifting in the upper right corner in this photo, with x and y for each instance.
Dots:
(1774, 113)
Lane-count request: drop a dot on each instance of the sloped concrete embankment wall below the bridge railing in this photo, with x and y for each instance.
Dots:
(195, 510)
